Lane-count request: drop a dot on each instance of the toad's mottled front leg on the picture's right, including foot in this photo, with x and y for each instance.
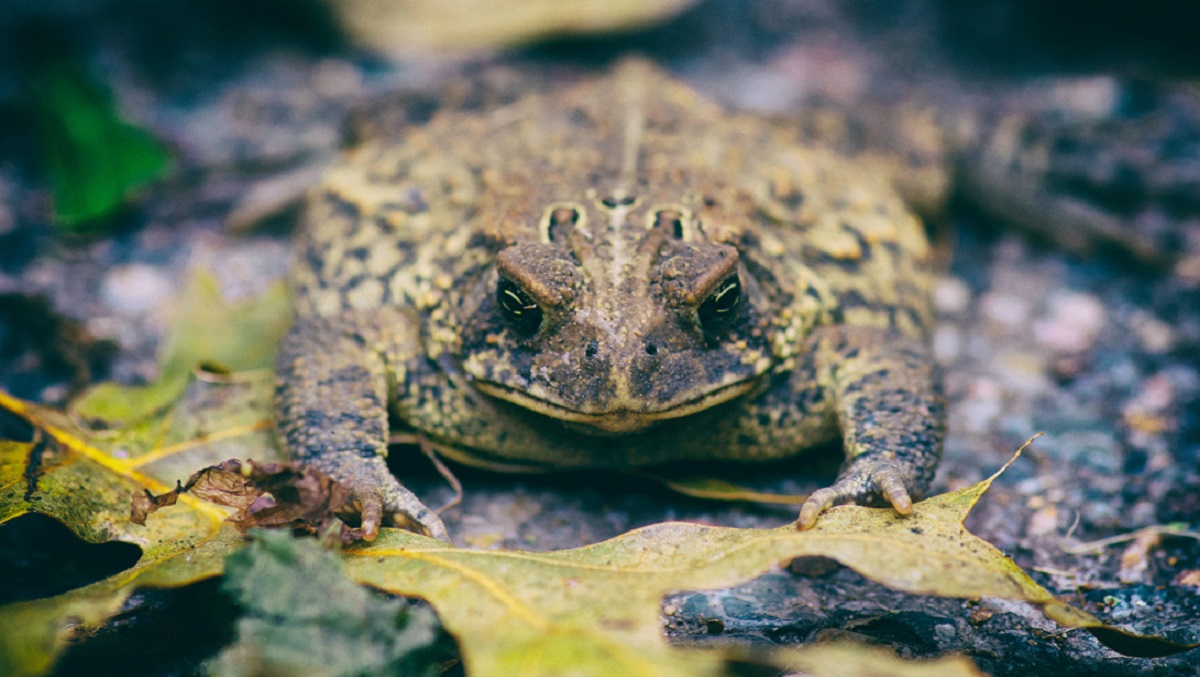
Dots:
(891, 414)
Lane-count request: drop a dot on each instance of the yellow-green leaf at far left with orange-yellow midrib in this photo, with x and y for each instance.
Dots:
(83, 472)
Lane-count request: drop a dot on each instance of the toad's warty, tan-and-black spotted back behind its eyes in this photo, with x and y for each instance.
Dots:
(413, 220)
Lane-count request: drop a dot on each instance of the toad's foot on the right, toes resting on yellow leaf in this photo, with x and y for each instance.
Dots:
(867, 482)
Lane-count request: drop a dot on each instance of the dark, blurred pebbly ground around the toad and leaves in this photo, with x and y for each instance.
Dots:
(1095, 352)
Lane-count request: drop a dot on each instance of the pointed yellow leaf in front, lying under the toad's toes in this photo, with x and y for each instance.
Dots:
(539, 613)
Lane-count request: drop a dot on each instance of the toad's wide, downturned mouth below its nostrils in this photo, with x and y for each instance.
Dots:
(617, 420)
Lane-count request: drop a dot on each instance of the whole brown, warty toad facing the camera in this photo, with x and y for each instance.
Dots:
(617, 274)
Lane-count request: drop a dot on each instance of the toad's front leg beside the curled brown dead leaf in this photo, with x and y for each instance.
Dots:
(332, 414)
